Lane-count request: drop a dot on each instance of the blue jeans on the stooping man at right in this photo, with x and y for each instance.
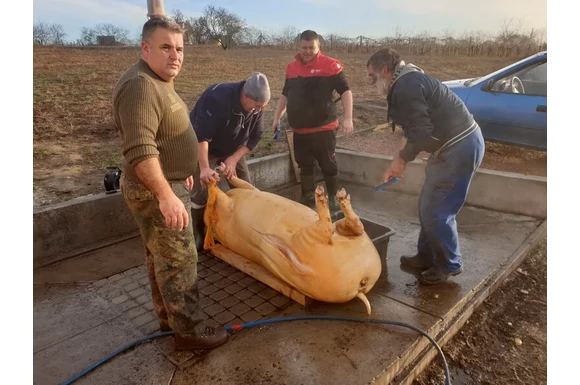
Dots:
(448, 177)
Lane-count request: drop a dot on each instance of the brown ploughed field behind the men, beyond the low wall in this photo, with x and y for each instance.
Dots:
(74, 135)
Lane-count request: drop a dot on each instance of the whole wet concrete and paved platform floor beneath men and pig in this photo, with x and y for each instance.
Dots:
(89, 306)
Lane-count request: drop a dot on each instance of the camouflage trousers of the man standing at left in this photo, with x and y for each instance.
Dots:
(170, 255)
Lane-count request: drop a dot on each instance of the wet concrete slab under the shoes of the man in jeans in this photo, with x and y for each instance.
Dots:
(487, 239)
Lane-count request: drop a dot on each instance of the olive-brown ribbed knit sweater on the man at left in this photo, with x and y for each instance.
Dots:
(153, 121)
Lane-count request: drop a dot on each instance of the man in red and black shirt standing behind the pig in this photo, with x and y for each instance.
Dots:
(312, 115)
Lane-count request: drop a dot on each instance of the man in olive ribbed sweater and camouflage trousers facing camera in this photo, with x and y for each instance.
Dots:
(159, 160)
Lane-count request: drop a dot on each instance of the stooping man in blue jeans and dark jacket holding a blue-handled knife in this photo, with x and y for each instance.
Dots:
(436, 121)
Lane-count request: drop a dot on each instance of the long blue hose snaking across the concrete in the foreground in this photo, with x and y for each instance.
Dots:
(233, 328)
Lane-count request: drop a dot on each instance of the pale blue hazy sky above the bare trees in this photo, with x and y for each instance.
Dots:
(369, 18)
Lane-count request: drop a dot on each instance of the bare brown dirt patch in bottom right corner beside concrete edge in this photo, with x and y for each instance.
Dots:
(485, 352)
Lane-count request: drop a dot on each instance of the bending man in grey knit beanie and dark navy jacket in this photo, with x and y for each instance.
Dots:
(228, 120)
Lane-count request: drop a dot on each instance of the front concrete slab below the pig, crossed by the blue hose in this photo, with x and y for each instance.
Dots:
(321, 352)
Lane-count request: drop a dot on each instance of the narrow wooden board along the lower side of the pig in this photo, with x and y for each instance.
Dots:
(261, 274)
